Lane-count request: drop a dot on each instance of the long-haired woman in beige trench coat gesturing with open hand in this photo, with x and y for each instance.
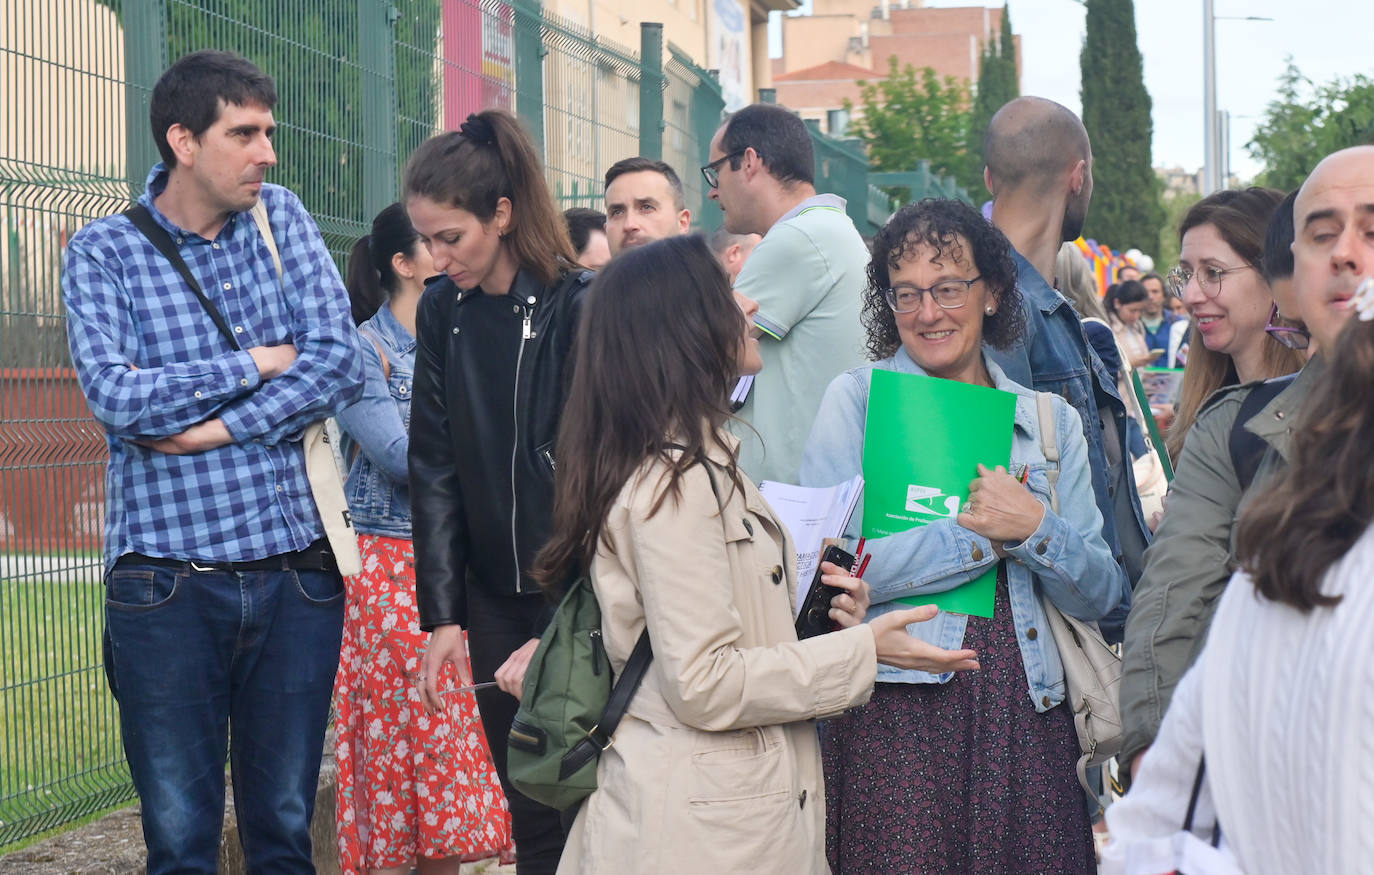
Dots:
(715, 767)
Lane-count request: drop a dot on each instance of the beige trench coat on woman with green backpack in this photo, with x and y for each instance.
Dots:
(717, 767)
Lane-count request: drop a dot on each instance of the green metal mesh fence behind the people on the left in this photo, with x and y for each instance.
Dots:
(362, 83)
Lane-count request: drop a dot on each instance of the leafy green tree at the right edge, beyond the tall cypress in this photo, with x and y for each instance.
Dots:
(1299, 130)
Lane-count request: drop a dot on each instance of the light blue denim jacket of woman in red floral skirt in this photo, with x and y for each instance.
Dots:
(377, 431)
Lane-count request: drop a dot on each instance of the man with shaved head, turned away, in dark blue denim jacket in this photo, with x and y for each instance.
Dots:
(1041, 177)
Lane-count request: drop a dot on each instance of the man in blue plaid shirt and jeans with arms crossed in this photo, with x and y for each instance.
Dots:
(223, 602)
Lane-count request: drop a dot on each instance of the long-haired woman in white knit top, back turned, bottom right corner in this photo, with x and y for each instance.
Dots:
(1279, 703)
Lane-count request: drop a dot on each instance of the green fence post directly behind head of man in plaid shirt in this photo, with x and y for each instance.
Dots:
(145, 58)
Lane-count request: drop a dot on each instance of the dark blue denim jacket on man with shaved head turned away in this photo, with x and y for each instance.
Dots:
(1055, 356)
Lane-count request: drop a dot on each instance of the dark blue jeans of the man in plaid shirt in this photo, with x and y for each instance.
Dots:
(199, 655)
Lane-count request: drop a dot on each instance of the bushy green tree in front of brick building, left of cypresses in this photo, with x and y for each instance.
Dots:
(913, 116)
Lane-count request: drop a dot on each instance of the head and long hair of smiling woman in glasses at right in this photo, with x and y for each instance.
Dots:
(1221, 281)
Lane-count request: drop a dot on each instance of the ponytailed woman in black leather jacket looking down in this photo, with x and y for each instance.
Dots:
(494, 339)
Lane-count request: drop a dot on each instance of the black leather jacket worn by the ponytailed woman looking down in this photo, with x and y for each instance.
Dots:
(475, 527)
